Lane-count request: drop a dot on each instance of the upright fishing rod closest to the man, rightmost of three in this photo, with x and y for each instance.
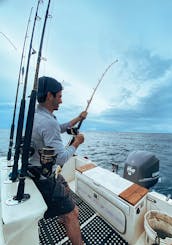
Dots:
(29, 123)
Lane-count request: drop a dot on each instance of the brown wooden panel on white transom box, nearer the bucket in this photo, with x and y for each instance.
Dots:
(133, 193)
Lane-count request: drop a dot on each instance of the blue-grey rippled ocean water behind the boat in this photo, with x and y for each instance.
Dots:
(105, 148)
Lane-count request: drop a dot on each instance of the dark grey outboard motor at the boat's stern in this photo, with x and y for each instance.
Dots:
(142, 167)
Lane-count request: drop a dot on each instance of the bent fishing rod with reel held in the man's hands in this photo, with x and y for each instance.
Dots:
(75, 130)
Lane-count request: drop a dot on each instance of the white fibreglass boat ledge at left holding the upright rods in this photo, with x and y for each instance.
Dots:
(20, 222)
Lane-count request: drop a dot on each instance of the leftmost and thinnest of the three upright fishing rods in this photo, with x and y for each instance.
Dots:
(21, 71)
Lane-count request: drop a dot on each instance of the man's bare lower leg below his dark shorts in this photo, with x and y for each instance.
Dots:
(71, 223)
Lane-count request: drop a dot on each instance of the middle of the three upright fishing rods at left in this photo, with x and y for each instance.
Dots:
(18, 142)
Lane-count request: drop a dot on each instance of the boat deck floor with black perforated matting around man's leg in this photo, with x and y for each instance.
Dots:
(94, 229)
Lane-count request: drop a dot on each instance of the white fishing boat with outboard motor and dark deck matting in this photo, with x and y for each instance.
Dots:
(114, 209)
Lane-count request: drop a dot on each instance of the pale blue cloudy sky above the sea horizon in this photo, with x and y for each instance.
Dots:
(82, 38)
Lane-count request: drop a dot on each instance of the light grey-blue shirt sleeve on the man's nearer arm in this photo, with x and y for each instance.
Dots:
(51, 137)
